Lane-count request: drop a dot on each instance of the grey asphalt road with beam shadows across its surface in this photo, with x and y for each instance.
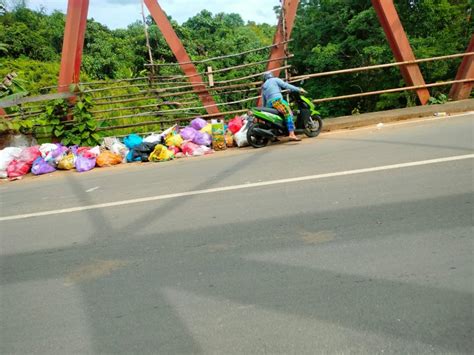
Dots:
(368, 249)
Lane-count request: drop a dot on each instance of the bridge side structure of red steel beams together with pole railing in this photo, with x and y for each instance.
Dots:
(151, 103)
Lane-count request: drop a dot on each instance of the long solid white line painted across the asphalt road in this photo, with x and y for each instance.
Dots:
(238, 187)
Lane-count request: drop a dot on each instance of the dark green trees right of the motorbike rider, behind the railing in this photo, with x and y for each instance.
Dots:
(341, 34)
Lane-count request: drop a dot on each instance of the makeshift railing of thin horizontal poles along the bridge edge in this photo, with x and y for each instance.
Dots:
(154, 102)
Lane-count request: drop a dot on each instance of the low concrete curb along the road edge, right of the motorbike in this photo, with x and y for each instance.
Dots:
(373, 118)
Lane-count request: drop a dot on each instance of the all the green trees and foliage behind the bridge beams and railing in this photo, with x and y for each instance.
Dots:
(328, 35)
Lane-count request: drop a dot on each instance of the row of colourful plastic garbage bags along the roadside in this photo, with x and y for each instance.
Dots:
(199, 138)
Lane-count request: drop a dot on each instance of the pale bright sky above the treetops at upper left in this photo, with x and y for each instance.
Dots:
(120, 13)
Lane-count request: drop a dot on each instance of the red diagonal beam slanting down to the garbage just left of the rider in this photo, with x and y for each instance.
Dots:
(180, 53)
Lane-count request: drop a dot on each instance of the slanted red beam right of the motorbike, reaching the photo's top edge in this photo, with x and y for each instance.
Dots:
(398, 40)
